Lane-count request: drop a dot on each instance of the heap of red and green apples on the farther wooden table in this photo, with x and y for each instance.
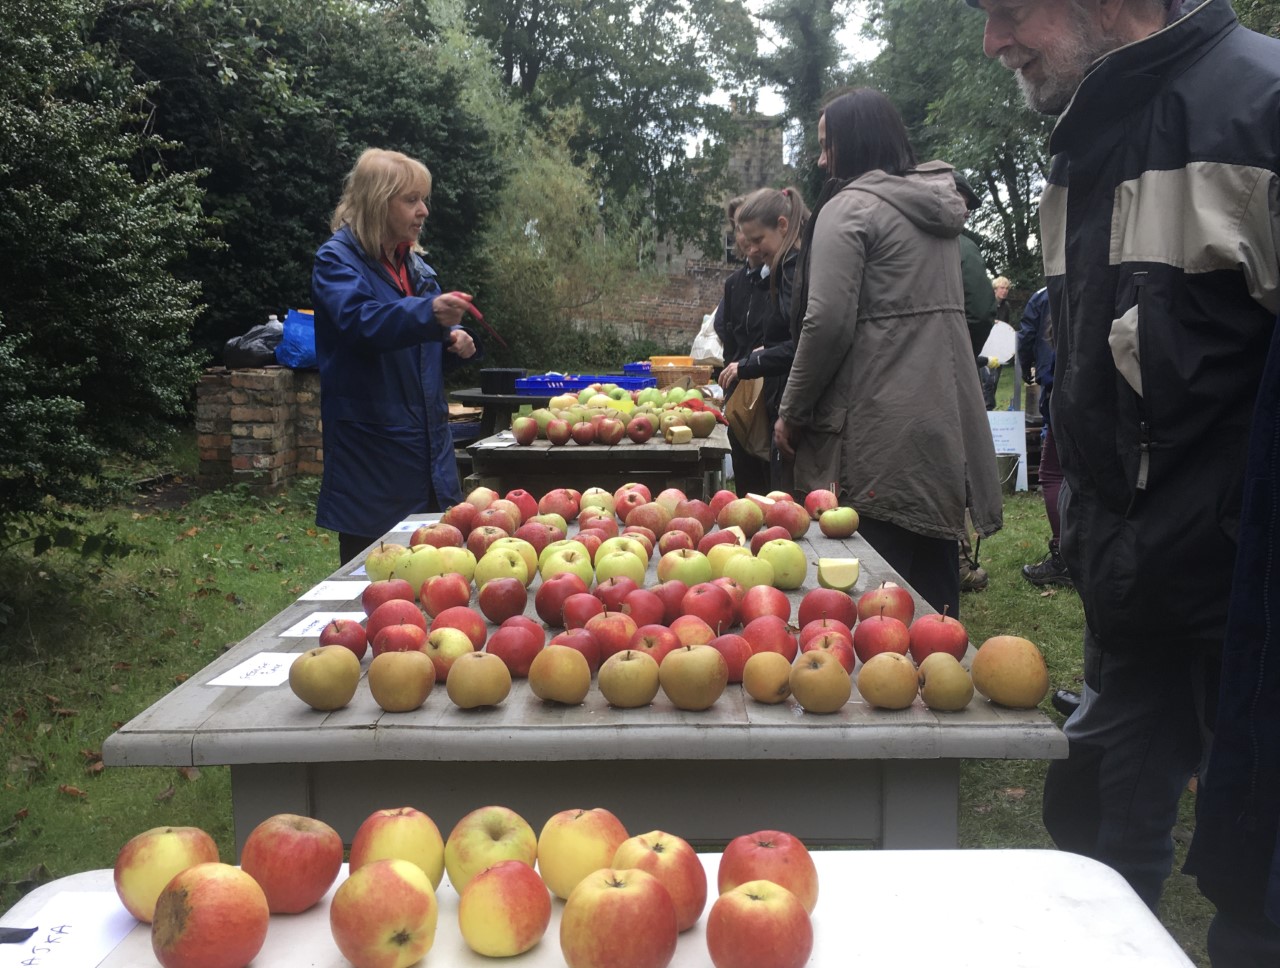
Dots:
(607, 414)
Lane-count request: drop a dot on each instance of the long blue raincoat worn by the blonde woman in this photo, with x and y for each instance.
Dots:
(388, 451)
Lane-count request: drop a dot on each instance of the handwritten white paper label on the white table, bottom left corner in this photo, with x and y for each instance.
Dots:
(77, 929)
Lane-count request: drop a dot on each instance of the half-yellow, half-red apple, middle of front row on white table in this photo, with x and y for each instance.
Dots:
(505, 910)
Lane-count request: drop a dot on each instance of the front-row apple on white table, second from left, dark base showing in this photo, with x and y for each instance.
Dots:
(385, 916)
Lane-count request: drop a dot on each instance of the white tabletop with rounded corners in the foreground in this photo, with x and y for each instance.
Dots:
(956, 908)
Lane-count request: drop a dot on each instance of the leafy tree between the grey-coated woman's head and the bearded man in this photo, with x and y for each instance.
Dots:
(966, 109)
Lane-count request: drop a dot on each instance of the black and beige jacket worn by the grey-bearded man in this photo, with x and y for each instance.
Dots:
(1160, 230)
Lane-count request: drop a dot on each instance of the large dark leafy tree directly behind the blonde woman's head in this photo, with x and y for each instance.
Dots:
(275, 101)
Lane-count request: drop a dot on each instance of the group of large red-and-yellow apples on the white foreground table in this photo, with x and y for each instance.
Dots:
(627, 898)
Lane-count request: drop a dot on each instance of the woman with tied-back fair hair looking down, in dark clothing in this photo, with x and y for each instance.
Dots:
(772, 223)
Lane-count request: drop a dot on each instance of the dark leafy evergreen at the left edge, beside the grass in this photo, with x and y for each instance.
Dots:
(95, 353)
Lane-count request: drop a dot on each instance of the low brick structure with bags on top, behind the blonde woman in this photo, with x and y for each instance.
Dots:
(259, 426)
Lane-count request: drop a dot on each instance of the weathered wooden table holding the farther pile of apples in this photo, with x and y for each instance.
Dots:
(696, 468)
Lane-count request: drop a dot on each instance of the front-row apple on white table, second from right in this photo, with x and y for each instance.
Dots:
(619, 919)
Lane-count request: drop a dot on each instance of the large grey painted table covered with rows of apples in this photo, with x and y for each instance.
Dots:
(860, 777)
